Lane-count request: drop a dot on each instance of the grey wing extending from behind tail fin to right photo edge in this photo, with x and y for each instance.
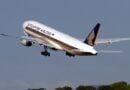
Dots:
(109, 41)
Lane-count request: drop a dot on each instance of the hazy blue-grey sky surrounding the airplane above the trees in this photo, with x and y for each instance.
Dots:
(22, 67)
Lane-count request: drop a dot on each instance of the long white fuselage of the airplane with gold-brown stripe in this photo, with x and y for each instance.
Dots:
(58, 39)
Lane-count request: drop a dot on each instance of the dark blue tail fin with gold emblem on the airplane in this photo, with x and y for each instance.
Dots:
(90, 40)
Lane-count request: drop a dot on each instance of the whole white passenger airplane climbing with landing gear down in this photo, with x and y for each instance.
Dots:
(51, 38)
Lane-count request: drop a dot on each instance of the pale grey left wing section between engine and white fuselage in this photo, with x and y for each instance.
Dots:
(37, 41)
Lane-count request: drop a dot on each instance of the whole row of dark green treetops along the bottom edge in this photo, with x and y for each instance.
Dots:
(115, 86)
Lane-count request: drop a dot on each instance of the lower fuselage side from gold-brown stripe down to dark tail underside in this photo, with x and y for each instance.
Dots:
(47, 39)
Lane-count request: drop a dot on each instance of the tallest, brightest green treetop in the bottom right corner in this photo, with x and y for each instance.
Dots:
(119, 86)
